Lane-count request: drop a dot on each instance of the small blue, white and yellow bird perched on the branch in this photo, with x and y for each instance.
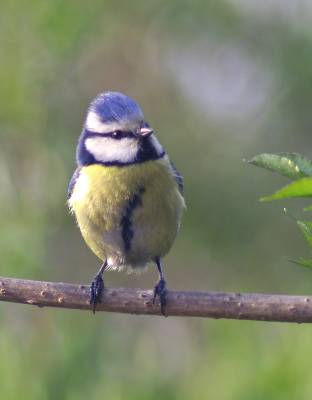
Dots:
(126, 194)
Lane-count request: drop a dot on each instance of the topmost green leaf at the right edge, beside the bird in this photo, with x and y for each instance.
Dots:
(291, 165)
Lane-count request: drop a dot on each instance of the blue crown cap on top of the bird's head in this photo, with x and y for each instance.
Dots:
(115, 106)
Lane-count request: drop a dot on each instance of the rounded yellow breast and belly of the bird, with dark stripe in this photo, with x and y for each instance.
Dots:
(128, 215)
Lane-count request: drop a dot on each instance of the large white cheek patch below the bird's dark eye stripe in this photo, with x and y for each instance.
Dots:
(107, 149)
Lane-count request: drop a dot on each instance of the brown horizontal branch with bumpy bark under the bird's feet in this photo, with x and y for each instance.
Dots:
(248, 306)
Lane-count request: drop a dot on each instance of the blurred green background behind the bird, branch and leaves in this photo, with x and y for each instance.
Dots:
(219, 81)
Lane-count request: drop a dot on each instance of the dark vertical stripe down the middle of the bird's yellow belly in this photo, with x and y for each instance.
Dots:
(126, 221)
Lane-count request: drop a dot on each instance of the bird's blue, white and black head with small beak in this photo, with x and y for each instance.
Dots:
(116, 133)
